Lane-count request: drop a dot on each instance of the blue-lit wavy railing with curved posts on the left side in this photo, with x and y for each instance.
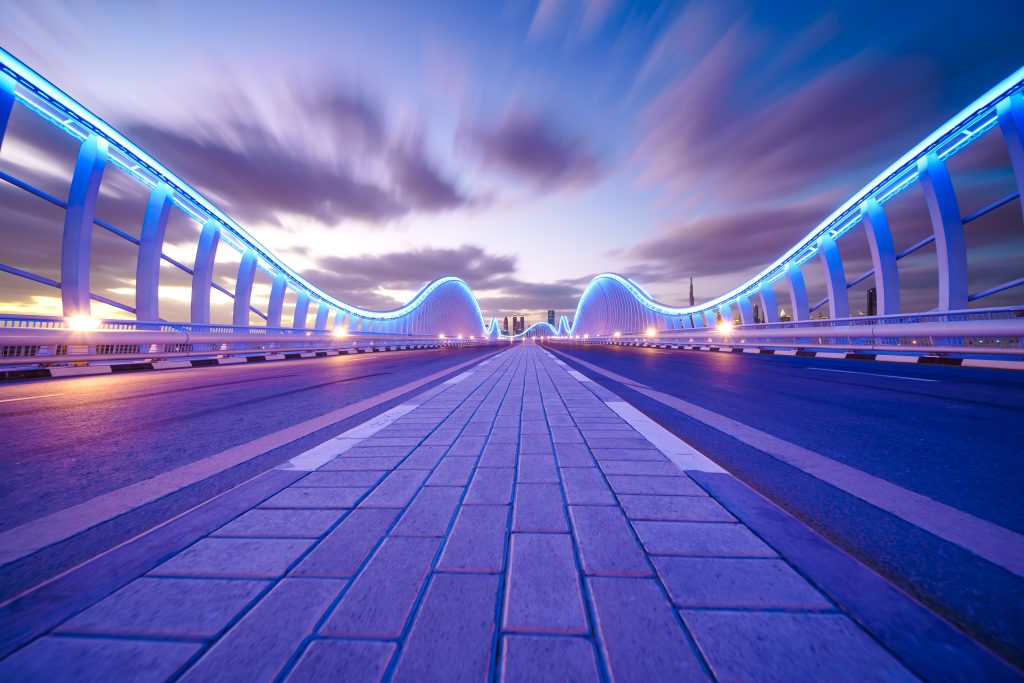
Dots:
(102, 145)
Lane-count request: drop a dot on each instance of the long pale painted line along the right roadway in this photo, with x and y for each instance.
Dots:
(987, 540)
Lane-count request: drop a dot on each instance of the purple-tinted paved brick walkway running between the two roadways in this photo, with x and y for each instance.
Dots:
(506, 526)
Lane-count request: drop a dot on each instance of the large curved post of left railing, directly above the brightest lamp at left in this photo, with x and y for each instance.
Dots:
(77, 241)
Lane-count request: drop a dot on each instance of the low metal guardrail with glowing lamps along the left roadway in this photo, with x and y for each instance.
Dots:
(47, 341)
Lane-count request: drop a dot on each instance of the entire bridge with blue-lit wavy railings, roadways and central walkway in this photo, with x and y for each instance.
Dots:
(766, 486)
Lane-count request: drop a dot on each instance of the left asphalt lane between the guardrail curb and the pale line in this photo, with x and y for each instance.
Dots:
(65, 442)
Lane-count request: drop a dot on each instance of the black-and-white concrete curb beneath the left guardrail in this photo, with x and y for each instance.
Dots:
(77, 371)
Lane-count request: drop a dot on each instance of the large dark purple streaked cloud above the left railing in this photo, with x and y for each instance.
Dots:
(334, 160)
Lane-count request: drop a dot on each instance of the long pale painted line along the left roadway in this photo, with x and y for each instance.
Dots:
(38, 534)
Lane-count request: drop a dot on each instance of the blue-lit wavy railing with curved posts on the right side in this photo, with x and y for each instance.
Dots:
(614, 306)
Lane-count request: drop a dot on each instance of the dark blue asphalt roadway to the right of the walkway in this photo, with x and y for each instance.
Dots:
(952, 435)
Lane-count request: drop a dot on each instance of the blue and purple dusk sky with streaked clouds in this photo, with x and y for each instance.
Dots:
(525, 146)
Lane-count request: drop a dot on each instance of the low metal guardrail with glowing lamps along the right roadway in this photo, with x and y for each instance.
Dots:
(982, 332)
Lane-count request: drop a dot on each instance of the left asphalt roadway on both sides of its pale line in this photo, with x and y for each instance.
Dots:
(68, 442)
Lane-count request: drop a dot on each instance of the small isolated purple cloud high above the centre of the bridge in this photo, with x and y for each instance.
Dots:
(531, 149)
